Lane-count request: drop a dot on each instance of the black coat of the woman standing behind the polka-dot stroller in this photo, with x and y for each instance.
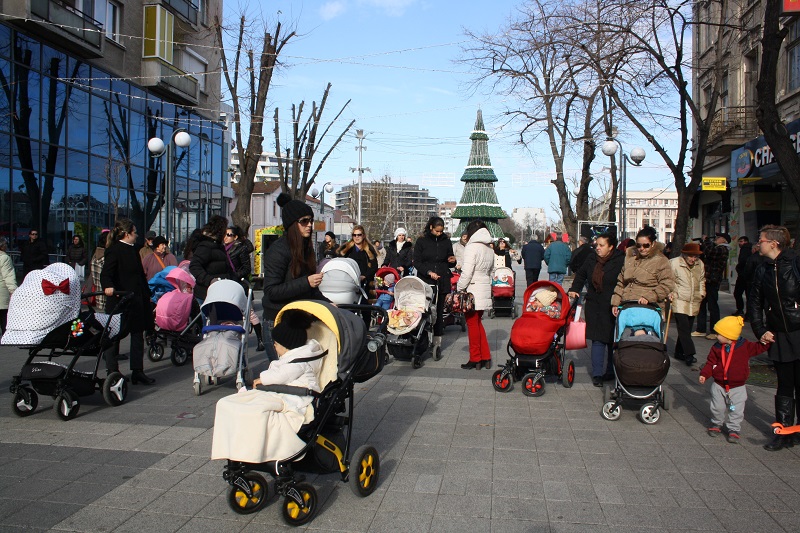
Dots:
(122, 271)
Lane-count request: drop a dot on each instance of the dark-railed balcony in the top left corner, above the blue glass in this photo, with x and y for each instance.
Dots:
(66, 26)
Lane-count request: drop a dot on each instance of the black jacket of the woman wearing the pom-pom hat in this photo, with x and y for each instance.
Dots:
(280, 287)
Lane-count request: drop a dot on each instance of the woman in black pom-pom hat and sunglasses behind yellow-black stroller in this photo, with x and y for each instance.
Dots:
(290, 266)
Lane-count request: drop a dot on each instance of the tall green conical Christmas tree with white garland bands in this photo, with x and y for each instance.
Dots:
(479, 199)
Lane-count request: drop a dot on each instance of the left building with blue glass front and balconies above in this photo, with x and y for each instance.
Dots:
(85, 85)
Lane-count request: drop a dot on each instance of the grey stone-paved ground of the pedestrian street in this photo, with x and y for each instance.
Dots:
(456, 456)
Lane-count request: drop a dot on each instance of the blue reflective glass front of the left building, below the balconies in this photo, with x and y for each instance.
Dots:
(74, 157)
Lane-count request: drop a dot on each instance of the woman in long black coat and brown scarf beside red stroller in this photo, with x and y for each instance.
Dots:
(599, 273)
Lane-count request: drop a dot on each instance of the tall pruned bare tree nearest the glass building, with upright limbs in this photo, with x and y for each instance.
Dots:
(248, 87)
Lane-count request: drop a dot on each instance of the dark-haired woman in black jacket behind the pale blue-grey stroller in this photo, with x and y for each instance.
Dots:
(209, 261)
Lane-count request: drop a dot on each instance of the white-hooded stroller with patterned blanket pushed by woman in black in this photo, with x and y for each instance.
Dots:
(411, 321)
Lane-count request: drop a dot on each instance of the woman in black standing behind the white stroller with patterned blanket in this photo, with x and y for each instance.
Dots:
(433, 259)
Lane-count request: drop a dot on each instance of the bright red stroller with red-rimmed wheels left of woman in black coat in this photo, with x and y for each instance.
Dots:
(537, 342)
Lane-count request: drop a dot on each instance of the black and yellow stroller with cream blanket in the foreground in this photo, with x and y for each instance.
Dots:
(324, 447)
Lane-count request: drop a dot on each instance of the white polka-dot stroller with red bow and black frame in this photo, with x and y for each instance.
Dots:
(45, 318)
